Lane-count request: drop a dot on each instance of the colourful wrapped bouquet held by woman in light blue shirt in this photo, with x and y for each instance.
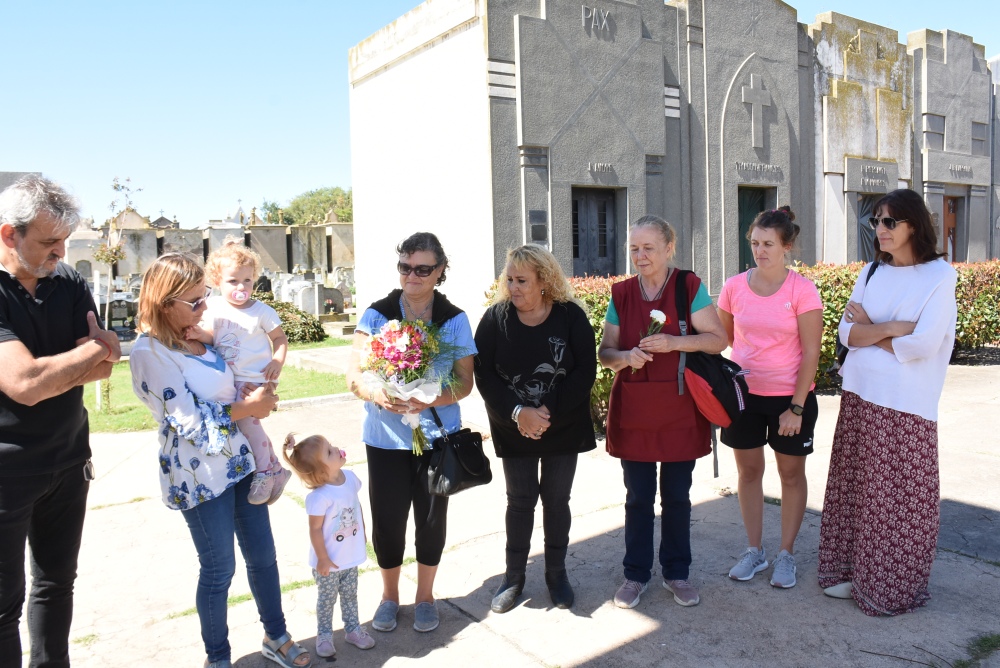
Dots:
(398, 361)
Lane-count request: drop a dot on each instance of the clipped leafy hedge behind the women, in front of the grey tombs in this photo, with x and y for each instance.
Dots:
(977, 292)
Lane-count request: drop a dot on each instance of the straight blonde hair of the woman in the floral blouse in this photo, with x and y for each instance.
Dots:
(170, 275)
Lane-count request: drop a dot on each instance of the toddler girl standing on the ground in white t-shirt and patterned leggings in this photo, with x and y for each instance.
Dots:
(336, 534)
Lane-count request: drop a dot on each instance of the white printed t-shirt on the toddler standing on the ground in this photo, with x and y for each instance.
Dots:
(343, 523)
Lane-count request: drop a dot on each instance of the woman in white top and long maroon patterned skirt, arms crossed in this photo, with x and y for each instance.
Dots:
(880, 515)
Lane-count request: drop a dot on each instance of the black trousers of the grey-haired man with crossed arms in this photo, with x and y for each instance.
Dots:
(47, 512)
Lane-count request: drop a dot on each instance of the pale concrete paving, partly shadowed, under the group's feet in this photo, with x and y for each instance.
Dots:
(135, 595)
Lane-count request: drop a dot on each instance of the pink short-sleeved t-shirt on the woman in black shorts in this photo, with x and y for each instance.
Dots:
(766, 331)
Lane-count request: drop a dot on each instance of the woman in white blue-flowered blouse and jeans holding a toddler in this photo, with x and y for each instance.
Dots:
(205, 462)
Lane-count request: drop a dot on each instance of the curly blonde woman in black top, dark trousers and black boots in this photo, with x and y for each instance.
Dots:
(535, 370)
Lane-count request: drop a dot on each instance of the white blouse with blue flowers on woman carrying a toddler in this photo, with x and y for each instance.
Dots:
(202, 451)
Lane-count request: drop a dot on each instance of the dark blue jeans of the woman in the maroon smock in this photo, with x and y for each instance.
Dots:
(675, 517)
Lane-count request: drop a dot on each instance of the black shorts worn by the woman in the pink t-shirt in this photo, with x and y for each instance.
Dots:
(759, 425)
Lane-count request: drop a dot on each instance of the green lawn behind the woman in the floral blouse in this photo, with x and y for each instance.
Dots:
(129, 414)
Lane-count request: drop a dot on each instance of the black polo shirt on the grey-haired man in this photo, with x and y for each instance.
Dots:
(53, 434)
